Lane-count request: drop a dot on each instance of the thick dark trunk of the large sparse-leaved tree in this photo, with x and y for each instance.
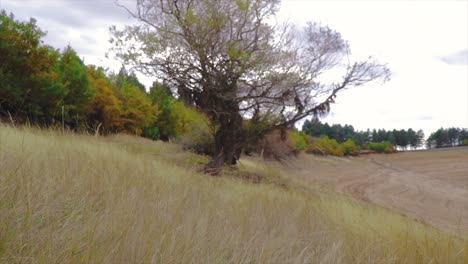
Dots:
(228, 140)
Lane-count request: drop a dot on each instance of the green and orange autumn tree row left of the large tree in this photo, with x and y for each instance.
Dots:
(42, 85)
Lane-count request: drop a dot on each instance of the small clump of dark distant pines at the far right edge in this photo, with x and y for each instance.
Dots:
(450, 137)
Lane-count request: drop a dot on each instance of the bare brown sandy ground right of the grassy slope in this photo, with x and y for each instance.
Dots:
(431, 186)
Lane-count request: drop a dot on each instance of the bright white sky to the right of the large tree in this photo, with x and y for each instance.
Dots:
(412, 37)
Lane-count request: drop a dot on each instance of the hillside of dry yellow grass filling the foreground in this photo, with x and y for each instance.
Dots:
(73, 198)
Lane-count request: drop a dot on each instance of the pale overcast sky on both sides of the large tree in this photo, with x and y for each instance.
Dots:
(425, 44)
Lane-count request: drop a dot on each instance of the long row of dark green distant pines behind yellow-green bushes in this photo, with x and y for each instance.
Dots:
(402, 138)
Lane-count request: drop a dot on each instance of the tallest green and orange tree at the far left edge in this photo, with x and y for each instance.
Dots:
(26, 71)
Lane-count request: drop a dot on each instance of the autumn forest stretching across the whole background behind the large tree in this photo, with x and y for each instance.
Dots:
(46, 86)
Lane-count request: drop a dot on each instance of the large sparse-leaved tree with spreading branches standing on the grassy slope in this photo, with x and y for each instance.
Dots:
(224, 57)
